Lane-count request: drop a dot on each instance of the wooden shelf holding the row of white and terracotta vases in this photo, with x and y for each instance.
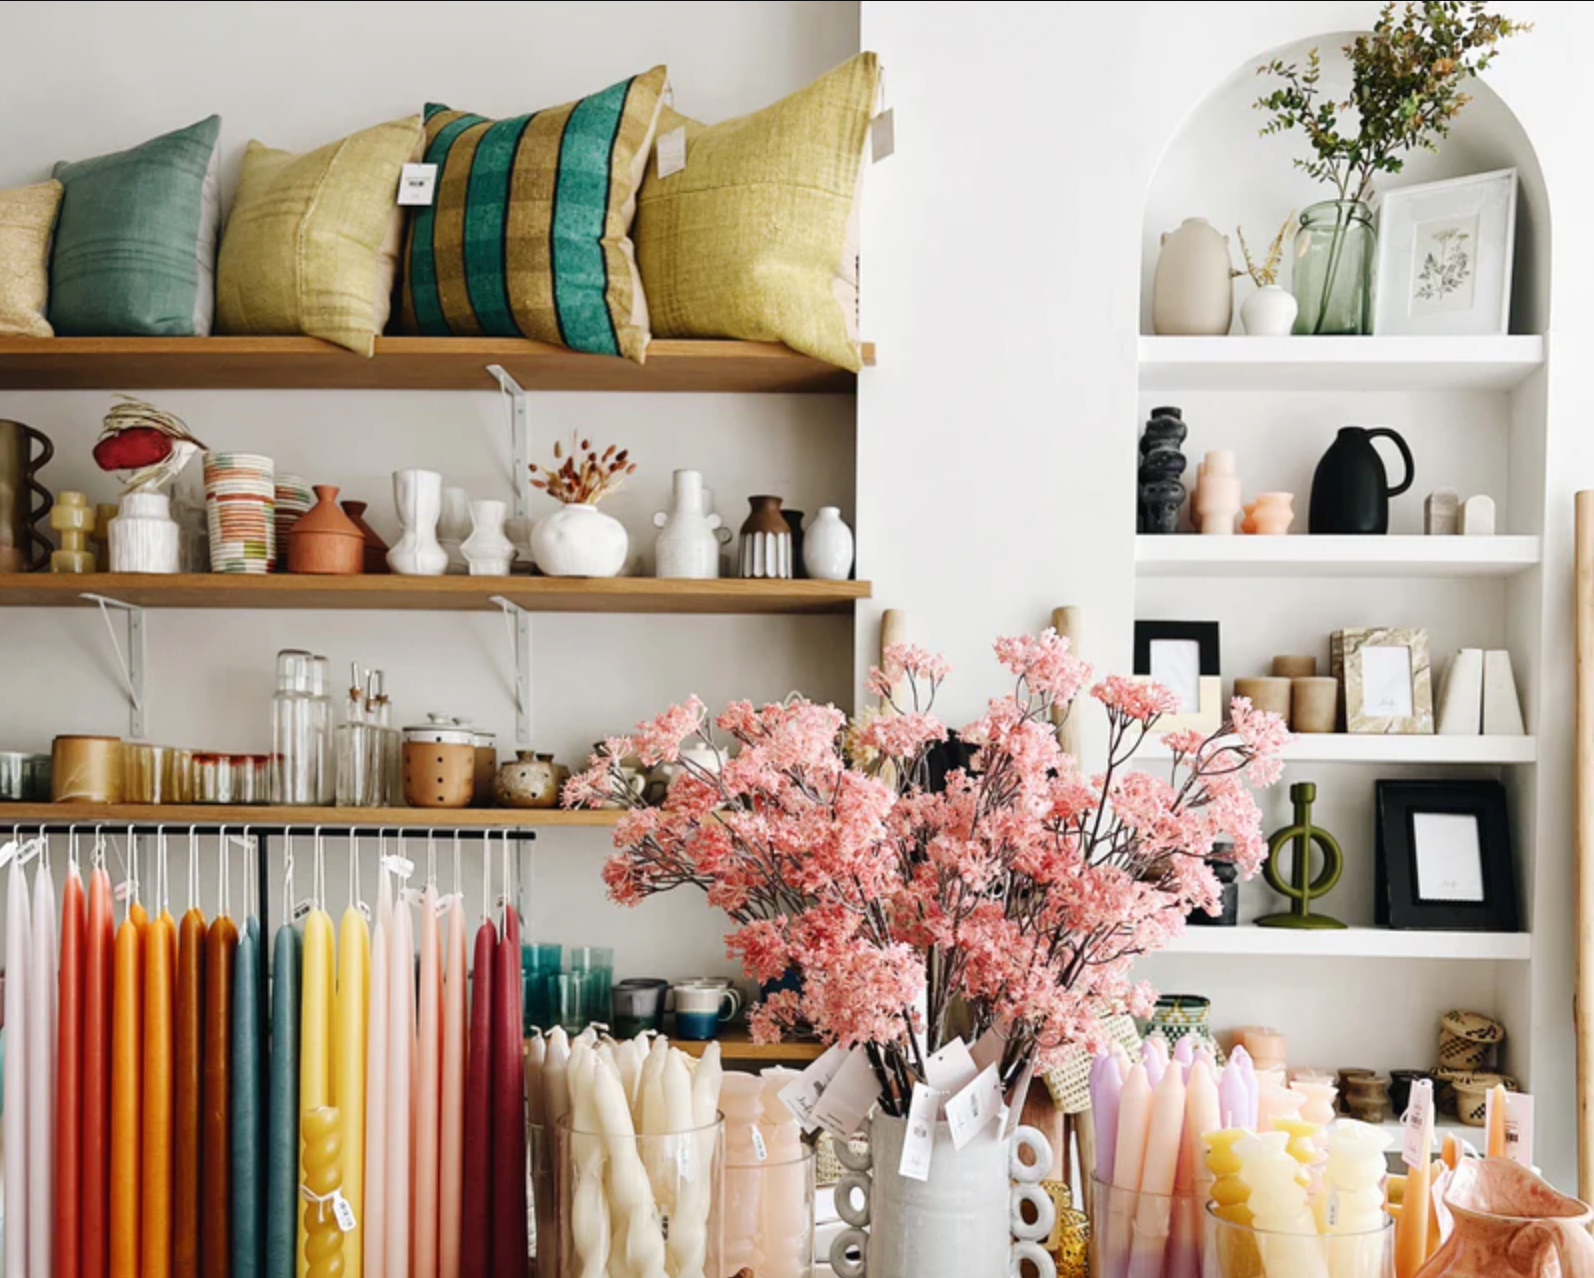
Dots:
(635, 595)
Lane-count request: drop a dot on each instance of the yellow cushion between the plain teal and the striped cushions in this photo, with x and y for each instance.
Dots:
(313, 241)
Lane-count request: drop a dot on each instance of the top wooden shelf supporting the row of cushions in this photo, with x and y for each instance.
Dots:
(407, 364)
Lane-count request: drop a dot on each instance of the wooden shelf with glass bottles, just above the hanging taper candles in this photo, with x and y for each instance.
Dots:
(332, 818)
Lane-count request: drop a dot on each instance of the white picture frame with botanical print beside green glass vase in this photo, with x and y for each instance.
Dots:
(1445, 257)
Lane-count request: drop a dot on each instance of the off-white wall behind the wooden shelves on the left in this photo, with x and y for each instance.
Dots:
(95, 77)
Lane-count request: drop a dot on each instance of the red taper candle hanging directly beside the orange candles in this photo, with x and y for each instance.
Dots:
(98, 978)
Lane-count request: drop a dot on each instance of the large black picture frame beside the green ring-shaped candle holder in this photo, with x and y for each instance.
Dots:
(1400, 853)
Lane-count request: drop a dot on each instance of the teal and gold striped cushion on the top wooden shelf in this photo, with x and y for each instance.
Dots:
(530, 232)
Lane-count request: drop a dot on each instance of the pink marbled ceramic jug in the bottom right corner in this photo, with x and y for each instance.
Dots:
(1512, 1225)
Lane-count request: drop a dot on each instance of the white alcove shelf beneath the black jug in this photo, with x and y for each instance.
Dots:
(1335, 557)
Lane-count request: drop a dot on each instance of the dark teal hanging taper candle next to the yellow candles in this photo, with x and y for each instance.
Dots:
(283, 1153)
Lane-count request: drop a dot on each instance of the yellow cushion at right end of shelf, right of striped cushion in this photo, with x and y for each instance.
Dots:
(758, 237)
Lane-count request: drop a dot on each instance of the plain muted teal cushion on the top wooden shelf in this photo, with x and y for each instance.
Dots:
(136, 240)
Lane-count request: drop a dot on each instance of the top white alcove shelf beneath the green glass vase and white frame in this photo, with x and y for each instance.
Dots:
(1338, 364)
